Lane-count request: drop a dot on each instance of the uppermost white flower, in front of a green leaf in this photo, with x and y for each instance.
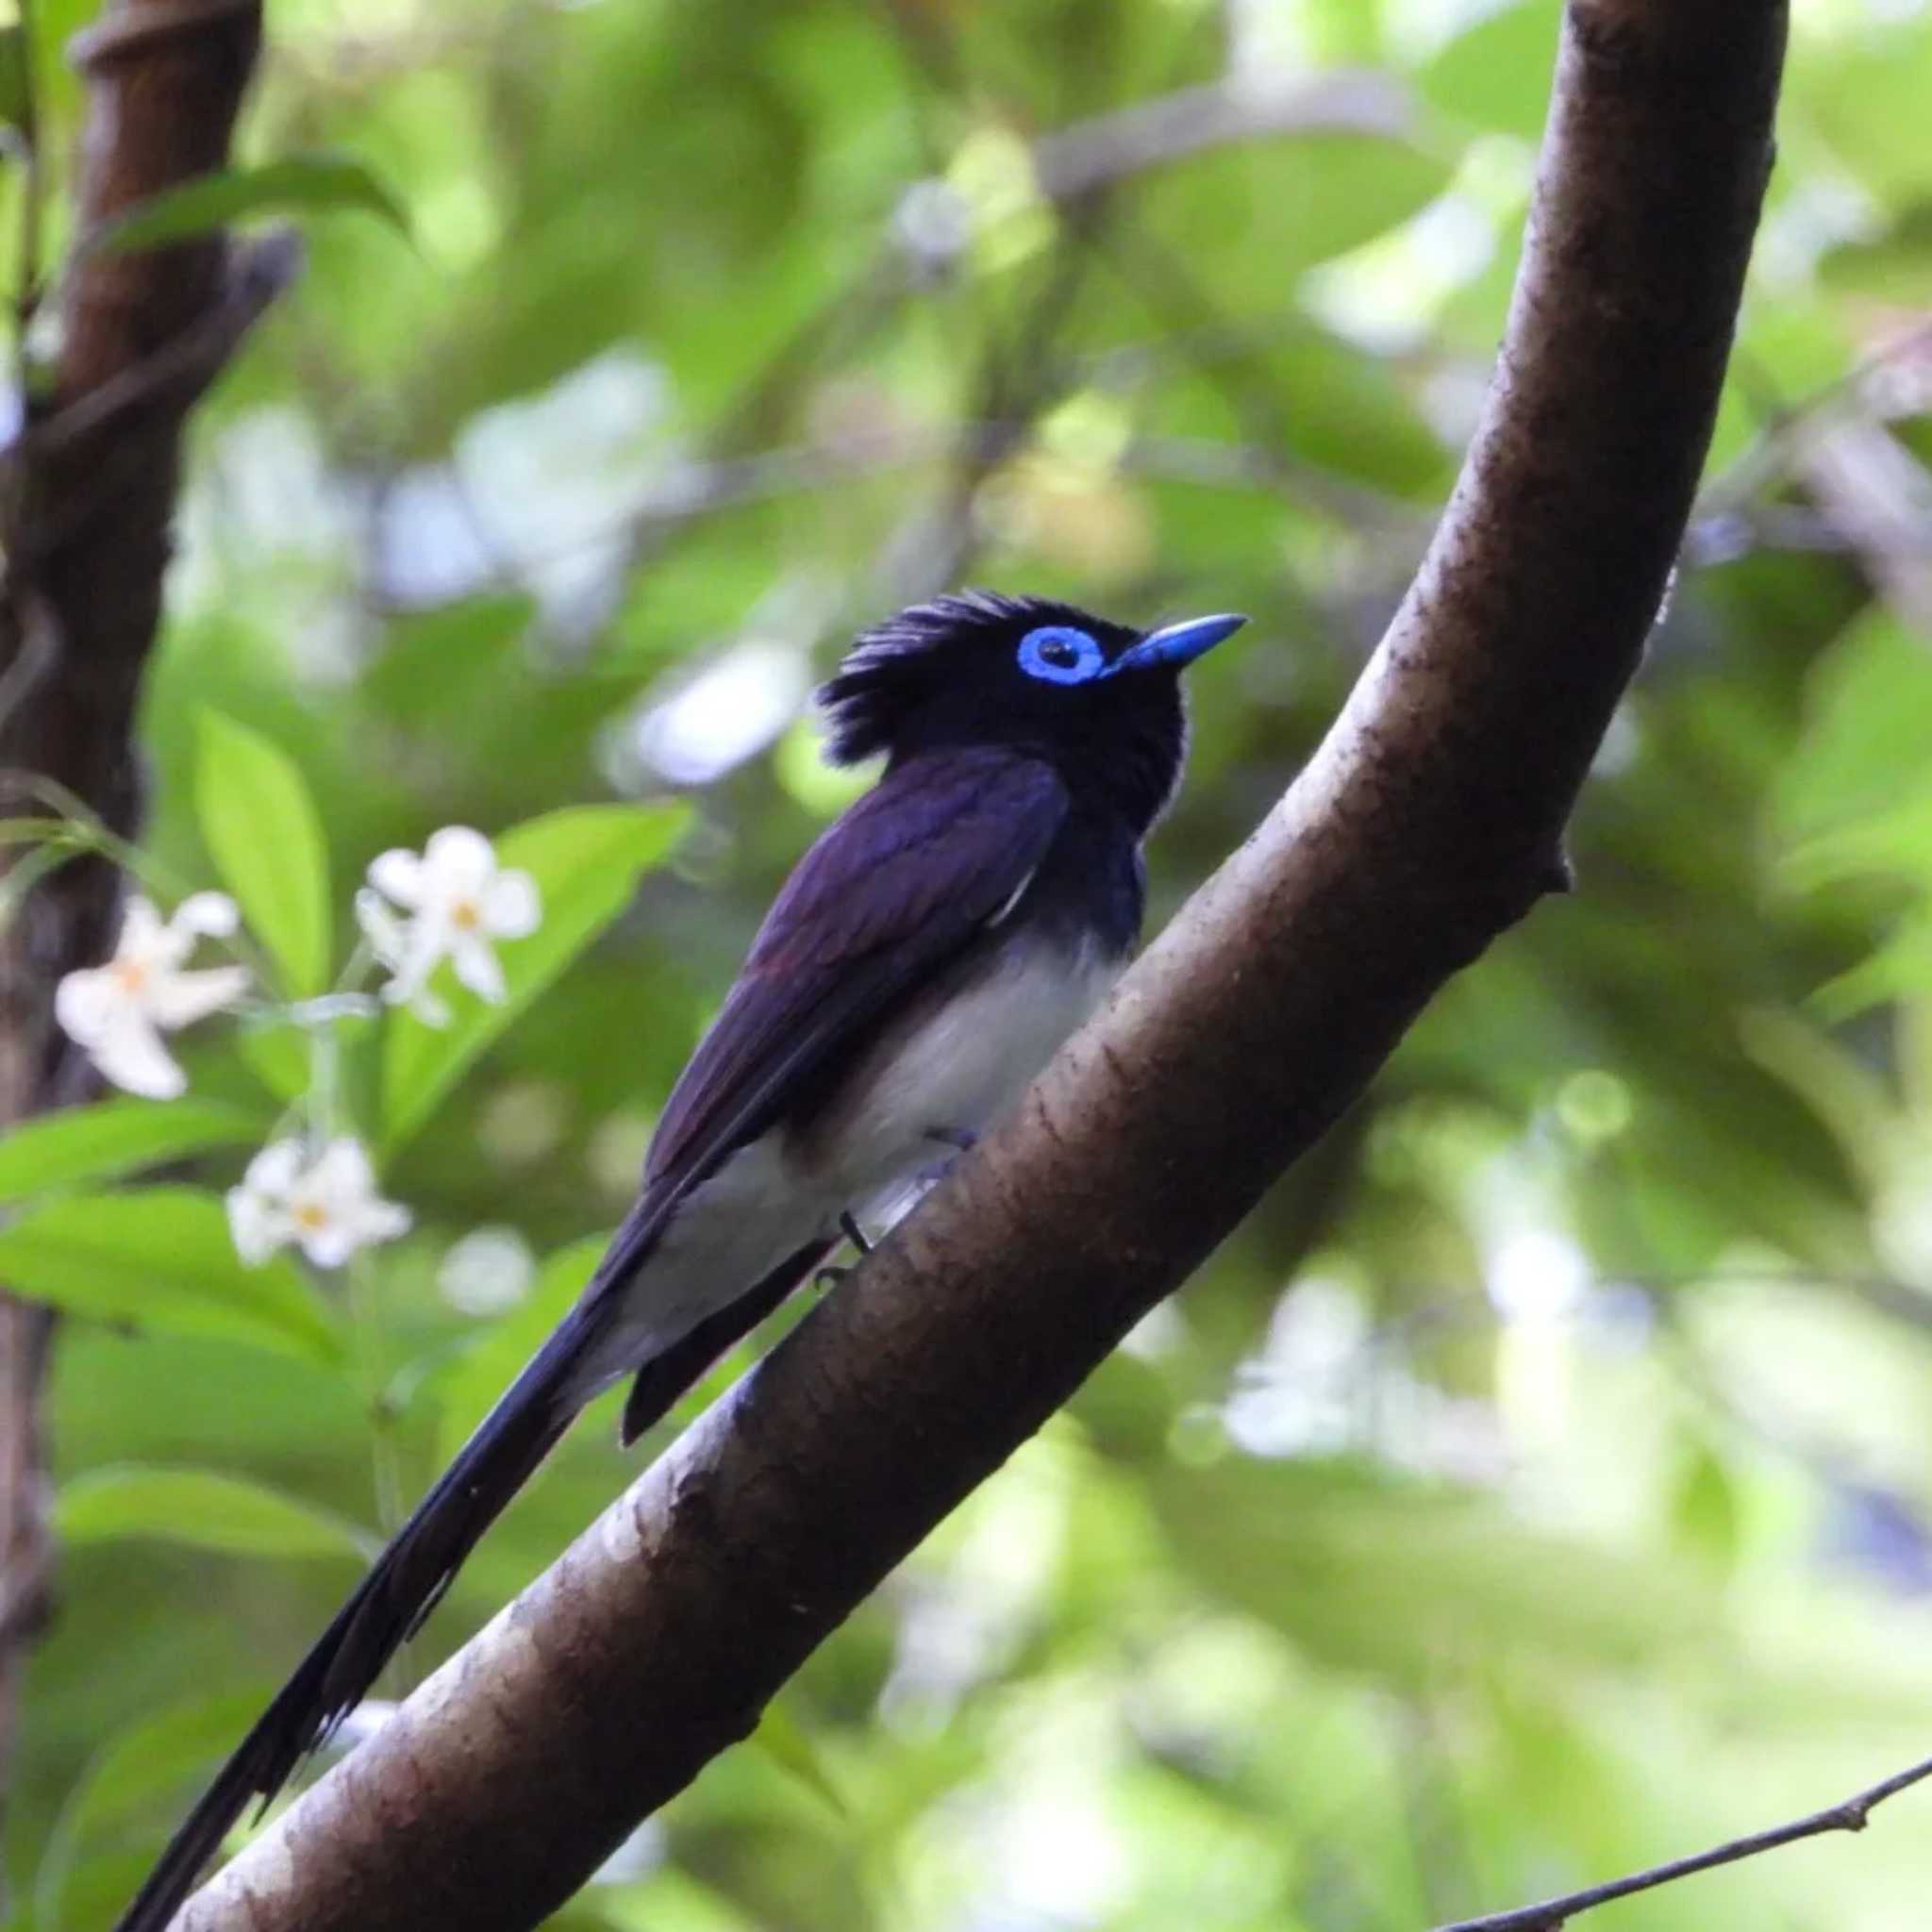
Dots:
(459, 903)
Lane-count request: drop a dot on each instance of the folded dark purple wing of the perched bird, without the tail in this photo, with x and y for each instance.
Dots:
(892, 894)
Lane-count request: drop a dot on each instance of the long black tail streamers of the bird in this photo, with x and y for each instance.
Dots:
(387, 1606)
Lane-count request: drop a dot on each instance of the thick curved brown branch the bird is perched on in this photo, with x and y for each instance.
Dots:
(1429, 822)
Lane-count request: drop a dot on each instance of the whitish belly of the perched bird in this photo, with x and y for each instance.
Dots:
(950, 1073)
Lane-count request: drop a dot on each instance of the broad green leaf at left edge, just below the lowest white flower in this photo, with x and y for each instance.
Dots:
(161, 1259)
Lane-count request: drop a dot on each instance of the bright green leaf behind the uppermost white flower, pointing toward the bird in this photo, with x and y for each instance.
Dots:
(584, 863)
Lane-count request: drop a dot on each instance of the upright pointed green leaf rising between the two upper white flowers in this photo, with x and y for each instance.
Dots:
(268, 839)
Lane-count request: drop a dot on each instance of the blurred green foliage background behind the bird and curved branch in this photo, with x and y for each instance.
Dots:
(1541, 1483)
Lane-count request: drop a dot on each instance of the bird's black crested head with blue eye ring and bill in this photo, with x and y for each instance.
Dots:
(1098, 700)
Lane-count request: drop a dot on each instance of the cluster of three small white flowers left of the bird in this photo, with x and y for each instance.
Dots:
(316, 1189)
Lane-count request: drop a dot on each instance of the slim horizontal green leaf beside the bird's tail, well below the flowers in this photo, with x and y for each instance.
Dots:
(204, 1510)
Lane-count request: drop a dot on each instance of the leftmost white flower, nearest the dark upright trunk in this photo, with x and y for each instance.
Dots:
(119, 1011)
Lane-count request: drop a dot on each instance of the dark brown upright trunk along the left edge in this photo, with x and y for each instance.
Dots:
(90, 494)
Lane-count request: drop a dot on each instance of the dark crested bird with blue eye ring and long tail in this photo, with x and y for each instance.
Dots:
(921, 965)
